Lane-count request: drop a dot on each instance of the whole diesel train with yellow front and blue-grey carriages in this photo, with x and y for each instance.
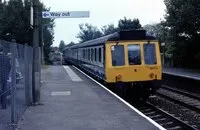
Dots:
(128, 62)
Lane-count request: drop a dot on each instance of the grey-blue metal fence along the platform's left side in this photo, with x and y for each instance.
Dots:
(15, 82)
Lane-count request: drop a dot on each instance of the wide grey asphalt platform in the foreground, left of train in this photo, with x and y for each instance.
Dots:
(71, 100)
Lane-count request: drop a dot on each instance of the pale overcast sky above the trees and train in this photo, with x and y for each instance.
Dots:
(102, 12)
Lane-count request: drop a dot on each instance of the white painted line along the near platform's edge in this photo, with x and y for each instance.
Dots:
(133, 108)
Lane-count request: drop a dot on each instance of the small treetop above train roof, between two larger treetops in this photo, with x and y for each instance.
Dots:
(108, 29)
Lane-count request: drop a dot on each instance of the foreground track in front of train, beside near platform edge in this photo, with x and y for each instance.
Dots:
(163, 118)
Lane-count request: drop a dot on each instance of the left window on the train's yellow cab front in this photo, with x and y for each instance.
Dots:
(117, 55)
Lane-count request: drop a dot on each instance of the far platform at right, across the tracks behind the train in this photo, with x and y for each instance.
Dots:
(181, 72)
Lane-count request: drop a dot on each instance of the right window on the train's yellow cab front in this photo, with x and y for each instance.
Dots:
(150, 54)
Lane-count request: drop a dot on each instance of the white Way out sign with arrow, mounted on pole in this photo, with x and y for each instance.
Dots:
(66, 14)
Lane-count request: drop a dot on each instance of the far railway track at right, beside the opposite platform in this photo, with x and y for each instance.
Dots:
(183, 98)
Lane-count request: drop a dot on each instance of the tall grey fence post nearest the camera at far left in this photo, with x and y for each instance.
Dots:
(13, 77)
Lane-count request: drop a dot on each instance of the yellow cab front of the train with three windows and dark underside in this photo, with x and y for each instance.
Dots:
(134, 65)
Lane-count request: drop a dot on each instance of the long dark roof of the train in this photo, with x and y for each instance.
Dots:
(117, 36)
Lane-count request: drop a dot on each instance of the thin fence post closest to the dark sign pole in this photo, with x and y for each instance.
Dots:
(26, 60)
